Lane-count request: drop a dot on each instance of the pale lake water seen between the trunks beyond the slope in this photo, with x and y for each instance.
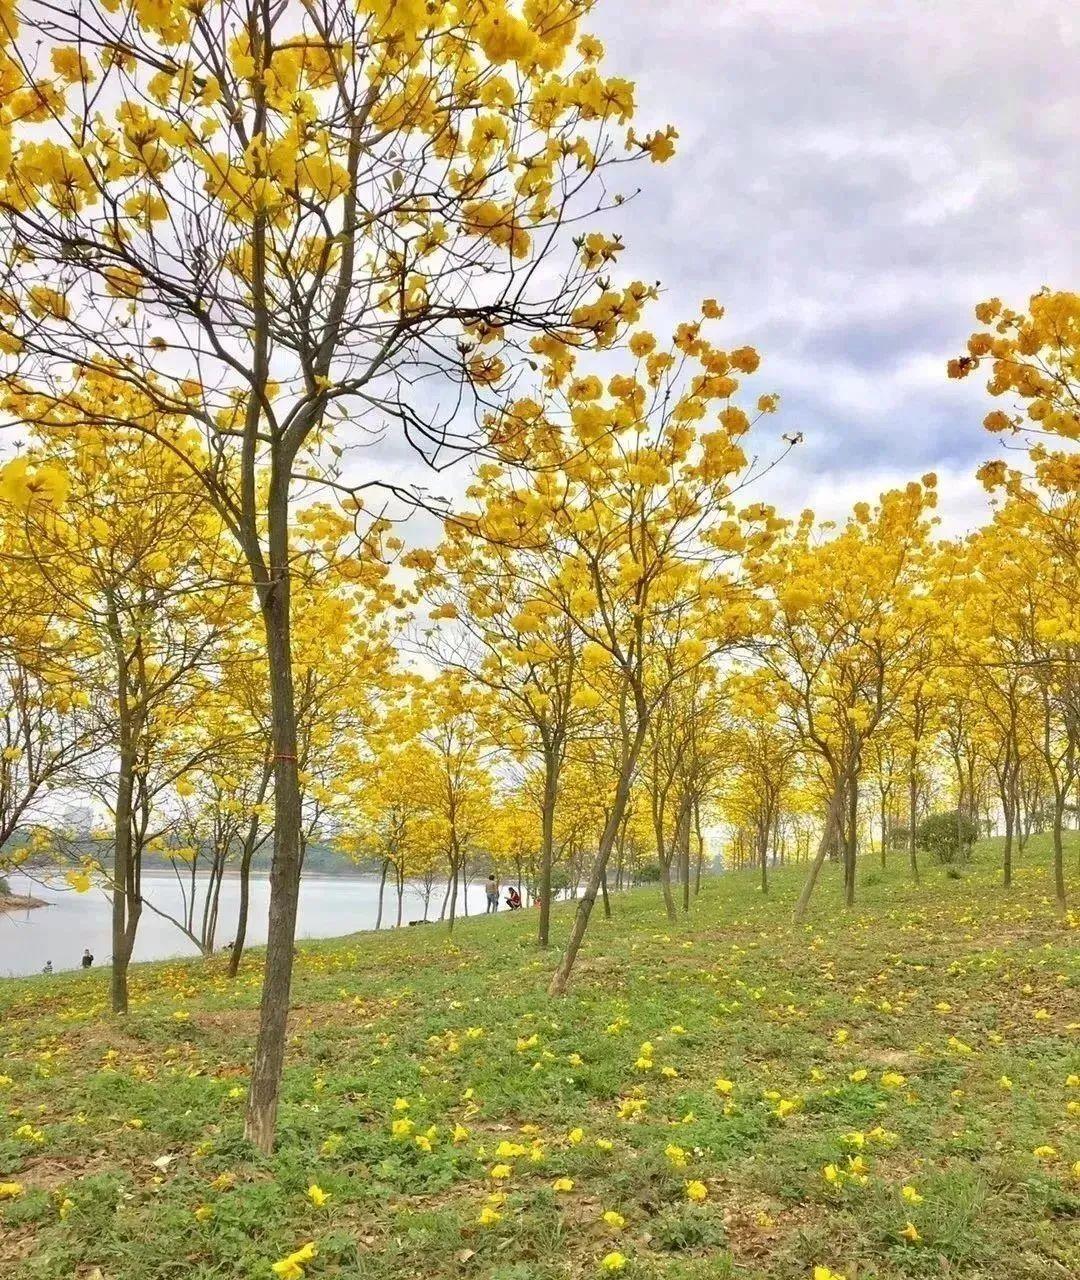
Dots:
(60, 932)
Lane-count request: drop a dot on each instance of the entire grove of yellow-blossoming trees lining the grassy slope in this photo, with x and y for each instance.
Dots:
(240, 239)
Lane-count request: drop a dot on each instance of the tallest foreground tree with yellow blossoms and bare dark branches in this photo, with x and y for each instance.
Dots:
(255, 221)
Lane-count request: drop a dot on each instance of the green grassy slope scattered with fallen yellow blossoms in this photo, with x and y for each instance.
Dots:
(953, 988)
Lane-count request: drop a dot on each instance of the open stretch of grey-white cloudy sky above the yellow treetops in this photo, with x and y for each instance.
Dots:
(850, 181)
